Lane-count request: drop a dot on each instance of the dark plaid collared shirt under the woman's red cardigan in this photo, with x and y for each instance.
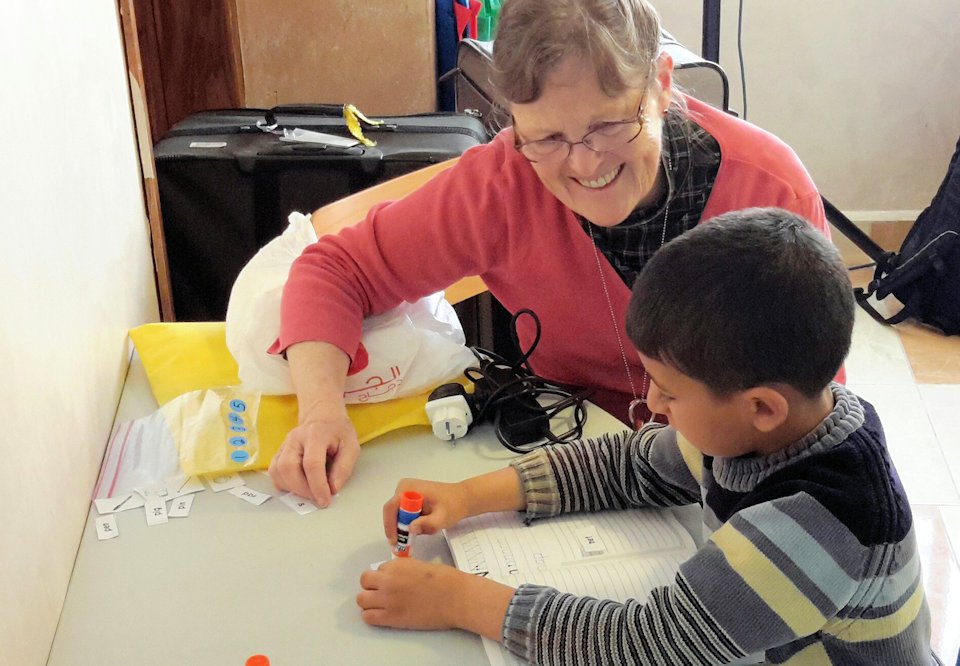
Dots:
(695, 156)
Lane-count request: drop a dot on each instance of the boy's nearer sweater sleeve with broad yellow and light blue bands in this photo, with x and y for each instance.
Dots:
(757, 584)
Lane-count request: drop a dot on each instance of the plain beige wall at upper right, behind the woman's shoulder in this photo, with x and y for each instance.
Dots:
(866, 91)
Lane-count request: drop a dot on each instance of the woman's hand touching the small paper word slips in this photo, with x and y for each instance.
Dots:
(317, 457)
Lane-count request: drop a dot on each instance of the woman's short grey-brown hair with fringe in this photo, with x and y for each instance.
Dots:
(620, 37)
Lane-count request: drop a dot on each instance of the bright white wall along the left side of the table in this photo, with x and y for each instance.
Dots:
(77, 274)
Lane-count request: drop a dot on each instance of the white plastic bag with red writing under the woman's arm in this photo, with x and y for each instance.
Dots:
(405, 351)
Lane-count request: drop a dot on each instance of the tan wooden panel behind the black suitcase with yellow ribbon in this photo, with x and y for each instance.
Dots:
(379, 55)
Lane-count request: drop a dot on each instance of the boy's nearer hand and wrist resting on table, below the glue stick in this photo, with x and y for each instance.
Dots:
(409, 594)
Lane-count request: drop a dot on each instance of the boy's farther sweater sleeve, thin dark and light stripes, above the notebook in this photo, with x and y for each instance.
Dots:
(615, 471)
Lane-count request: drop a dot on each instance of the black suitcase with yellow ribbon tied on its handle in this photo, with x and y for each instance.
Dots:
(228, 181)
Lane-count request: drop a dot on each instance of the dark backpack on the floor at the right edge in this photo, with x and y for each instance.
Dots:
(925, 274)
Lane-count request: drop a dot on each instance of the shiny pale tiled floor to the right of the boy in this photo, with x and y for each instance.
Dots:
(912, 376)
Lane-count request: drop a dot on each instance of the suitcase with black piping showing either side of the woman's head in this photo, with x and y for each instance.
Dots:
(701, 78)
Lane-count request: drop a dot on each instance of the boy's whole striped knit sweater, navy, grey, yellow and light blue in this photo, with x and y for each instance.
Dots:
(810, 554)
